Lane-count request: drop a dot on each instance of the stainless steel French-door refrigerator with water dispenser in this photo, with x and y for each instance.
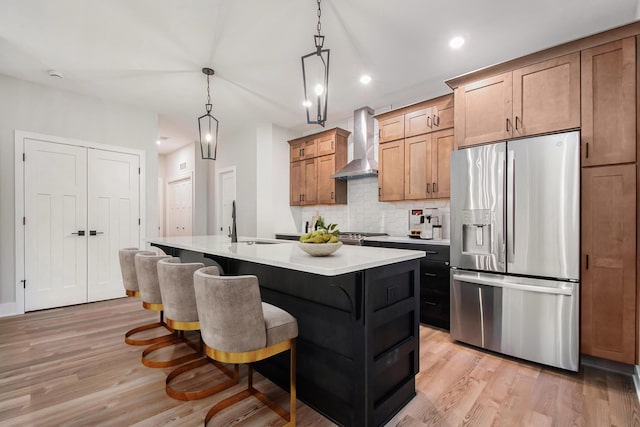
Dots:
(515, 236)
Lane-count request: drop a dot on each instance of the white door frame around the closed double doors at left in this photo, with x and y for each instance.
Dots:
(17, 307)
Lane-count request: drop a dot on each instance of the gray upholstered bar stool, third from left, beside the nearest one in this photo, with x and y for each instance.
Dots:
(181, 314)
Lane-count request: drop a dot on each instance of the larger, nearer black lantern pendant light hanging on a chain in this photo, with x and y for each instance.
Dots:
(315, 77)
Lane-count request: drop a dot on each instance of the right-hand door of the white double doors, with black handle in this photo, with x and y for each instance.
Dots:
(113, 212)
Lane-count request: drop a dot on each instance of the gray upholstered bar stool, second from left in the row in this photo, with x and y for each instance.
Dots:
(147, 271)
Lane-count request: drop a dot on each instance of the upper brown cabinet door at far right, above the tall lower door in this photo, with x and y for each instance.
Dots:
(609, 103)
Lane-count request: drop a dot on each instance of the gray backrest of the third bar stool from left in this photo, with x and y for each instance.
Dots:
(176, 287)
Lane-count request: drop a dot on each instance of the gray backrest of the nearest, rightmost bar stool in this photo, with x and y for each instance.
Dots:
(230, 311)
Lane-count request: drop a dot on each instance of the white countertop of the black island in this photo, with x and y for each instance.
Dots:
(287, 254)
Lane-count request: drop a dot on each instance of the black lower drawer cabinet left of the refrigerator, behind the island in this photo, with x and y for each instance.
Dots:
(434, 280)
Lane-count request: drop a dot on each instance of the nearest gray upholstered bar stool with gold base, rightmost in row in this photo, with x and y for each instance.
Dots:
(237, 327)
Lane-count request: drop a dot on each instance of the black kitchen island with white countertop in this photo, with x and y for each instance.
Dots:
(357, 313)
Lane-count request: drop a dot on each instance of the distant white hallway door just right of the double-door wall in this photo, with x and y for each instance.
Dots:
(180, 196)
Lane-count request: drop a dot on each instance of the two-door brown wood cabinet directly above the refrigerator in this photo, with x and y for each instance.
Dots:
(540, 98)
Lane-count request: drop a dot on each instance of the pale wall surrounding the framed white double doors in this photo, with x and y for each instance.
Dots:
(35, 108)
